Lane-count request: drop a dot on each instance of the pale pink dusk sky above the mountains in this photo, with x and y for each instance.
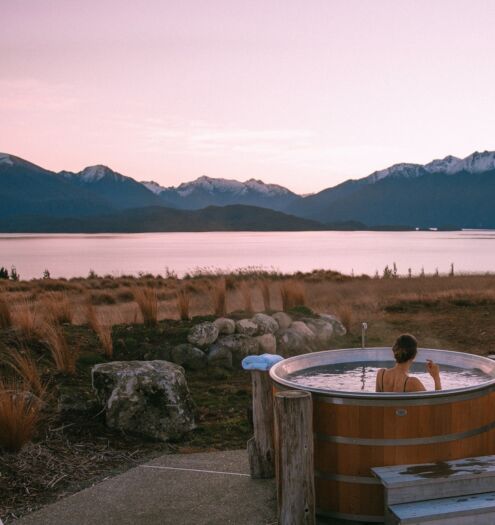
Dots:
(304, 94)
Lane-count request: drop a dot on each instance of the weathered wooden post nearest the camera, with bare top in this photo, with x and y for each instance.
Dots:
(294, 458)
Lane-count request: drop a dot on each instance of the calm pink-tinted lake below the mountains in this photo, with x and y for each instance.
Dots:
(359, 252)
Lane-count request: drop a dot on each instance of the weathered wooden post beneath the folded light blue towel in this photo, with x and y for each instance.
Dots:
(260, 447)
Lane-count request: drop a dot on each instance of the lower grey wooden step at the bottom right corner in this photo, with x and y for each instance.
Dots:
(468, 510)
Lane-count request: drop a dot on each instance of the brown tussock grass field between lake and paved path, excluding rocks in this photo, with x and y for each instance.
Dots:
(53, 331)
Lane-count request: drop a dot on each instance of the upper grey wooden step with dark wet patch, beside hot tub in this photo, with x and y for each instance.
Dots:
(461, 477)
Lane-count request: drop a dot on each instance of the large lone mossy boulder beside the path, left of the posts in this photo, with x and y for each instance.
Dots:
(150, 398)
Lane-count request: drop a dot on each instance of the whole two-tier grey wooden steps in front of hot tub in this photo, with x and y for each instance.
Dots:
(441, 492)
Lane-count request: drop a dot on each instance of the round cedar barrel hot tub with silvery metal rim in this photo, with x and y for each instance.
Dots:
(357, 430)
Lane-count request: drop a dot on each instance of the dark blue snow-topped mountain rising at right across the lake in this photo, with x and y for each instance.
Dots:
(447, 192)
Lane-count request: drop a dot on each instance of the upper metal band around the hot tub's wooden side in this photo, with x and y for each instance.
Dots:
(442, 438)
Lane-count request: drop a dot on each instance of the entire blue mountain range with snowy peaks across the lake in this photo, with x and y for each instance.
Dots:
(449, 192)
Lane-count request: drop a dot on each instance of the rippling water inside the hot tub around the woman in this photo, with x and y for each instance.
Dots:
(361, 376)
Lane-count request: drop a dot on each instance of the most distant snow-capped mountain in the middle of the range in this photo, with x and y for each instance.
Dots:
(207, 191)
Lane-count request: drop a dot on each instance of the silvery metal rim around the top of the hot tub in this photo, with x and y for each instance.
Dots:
(382, 396)
